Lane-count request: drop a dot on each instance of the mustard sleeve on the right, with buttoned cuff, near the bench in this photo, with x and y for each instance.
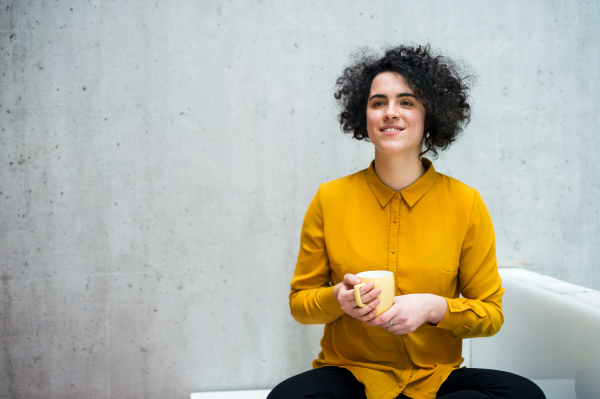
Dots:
(479, 312)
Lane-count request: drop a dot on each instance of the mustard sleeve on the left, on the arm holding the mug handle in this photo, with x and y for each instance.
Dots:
(311, 295)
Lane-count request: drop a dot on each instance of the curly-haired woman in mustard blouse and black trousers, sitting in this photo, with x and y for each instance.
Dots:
(433, 232)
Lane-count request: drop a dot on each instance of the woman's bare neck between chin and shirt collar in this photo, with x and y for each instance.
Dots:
(398, 172)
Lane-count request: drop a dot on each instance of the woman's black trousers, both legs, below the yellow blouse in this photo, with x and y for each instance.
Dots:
(339, 383)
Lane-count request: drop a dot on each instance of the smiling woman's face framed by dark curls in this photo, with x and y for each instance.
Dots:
(395, 119)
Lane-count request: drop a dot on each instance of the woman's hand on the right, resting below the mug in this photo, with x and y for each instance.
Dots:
(410, 311)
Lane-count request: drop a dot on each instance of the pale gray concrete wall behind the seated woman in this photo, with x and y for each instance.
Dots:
(157, 158)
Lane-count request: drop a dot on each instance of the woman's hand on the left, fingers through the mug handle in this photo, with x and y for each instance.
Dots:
(344, 294)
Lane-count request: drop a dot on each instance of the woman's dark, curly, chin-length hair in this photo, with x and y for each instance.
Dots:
(442, 85)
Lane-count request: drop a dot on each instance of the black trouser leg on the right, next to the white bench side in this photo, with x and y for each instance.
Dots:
(483, 383)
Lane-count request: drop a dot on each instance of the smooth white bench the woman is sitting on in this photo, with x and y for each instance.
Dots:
(551, 335)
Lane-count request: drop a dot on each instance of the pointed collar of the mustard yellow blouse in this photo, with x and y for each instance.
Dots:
(411, 194)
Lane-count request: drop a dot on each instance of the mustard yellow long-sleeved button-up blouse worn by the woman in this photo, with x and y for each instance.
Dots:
(437, 237)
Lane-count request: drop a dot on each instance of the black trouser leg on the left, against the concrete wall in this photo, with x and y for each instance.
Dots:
(325, 382)
